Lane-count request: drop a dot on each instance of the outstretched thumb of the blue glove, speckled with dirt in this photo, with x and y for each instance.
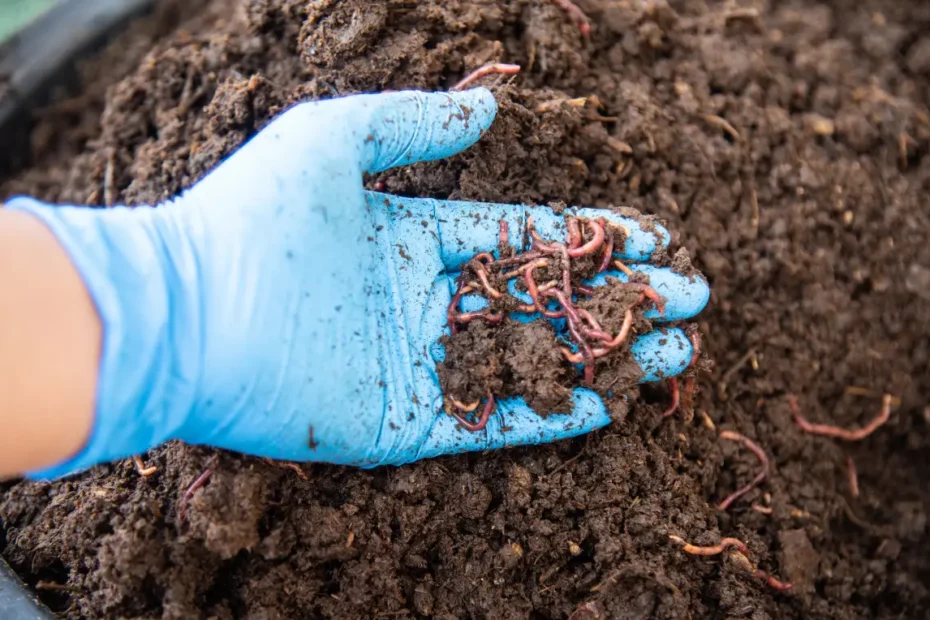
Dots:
(411, 126)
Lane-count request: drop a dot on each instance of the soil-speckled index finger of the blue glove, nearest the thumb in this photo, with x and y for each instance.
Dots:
(467, 228)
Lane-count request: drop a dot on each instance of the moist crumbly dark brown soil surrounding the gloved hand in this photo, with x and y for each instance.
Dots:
(785, 143)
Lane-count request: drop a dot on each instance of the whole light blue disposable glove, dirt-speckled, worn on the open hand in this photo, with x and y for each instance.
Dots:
(279, 309)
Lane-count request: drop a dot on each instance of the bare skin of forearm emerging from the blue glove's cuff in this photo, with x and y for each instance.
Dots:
(50, 341)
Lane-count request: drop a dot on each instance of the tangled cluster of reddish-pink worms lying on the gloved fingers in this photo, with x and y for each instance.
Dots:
(545, 274)
